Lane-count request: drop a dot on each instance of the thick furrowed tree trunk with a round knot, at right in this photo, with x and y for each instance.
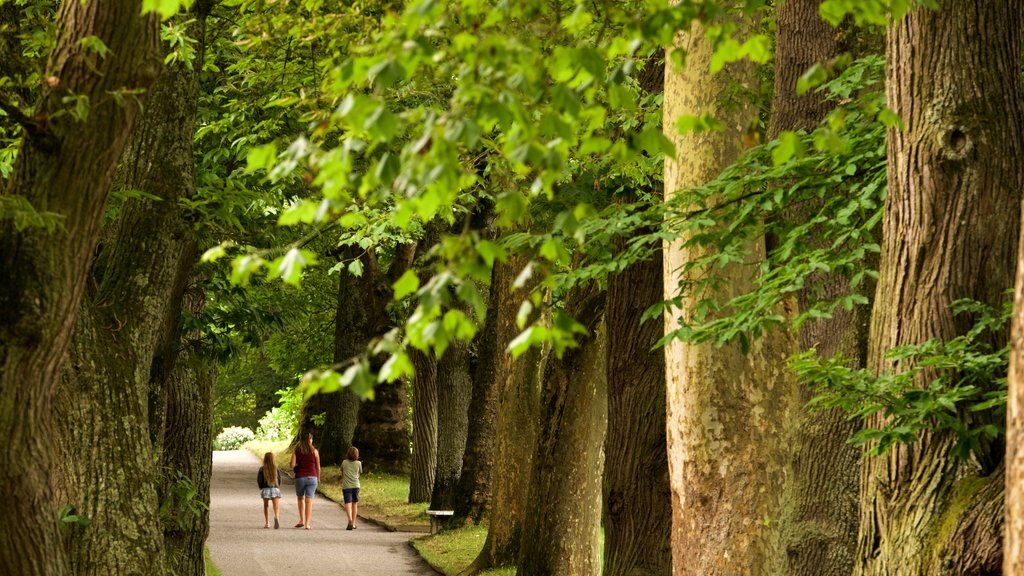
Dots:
(951, 230)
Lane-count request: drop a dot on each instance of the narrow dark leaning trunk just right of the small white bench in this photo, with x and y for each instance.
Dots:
(474, 493)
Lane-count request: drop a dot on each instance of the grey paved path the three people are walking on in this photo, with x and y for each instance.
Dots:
(241, 547)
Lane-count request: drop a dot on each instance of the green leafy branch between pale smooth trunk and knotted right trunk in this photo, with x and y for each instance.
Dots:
(818, 197)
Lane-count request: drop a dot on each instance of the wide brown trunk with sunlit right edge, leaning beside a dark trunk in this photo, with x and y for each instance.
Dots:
(563, 526)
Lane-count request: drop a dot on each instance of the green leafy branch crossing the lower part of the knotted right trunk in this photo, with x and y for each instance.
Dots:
(958, 387)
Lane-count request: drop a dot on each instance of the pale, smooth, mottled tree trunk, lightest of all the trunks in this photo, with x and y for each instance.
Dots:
(731, 416)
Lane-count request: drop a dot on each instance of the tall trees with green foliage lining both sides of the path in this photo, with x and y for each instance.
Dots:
(488, 184)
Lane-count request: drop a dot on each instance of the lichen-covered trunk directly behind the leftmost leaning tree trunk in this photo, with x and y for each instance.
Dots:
(114, 418)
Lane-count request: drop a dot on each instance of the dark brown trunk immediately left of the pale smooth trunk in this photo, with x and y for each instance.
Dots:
(637, 495)
